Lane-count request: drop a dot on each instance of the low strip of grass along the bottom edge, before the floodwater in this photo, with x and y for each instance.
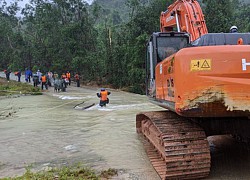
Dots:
(66, 173)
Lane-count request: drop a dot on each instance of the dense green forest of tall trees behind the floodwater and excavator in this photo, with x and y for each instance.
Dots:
(104, 41)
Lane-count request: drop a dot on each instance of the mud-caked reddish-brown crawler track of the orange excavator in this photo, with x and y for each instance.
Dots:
(176, 147)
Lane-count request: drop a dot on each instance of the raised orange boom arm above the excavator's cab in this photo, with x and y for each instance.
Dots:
(184, 16)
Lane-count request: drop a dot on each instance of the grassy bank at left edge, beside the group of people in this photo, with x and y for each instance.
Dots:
(14, 87)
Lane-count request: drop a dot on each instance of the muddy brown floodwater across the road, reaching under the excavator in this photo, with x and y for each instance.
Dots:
(47, 131)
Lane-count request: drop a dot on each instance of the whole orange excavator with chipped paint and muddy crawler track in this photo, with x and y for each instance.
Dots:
(202, 80)
